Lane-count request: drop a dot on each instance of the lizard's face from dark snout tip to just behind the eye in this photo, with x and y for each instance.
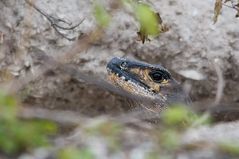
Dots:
(139, 78)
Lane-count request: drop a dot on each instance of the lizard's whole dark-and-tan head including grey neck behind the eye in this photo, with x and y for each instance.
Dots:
(145, 80)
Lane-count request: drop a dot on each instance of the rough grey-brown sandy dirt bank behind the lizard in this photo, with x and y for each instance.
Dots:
(191, 50)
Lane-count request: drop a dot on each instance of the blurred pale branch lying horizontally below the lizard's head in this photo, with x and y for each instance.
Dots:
(70, 118)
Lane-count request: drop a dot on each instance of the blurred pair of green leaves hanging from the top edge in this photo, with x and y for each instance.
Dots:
(150, 22)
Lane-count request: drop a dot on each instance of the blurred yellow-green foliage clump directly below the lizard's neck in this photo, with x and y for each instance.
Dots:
(176, 119)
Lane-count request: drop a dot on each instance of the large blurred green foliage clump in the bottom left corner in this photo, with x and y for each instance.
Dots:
(18, 135)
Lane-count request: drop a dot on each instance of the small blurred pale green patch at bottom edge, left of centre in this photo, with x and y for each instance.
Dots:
(75, 153)
